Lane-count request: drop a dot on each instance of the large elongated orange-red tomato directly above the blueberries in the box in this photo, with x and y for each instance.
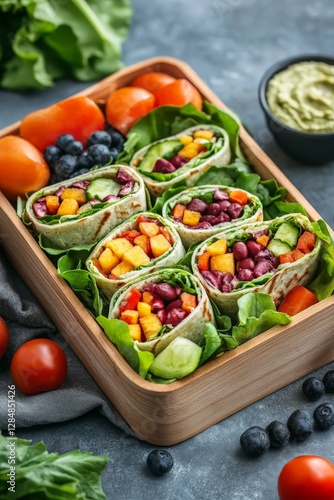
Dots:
(79, 116)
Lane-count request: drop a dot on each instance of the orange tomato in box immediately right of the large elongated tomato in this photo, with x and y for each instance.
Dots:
(126, 105)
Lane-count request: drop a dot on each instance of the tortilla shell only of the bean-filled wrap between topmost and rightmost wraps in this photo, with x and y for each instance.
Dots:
(252, 213)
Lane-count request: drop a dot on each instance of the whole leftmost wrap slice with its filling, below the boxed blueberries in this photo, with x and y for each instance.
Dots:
(106, 197)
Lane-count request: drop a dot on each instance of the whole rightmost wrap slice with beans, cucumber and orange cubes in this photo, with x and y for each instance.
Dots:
(273, 248)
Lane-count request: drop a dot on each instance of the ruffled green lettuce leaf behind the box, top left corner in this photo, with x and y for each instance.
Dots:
(42, 41)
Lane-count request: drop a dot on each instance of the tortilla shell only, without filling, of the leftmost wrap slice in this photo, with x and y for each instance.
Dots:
(73, 231)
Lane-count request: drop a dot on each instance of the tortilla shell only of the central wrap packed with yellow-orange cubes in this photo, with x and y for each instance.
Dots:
(110, 286)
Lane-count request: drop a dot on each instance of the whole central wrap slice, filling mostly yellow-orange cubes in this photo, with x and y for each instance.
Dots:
(135, 248)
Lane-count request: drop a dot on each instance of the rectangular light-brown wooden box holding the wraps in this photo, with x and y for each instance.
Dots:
(169, 414)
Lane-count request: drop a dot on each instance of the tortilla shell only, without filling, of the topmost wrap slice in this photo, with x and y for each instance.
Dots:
(192, 170)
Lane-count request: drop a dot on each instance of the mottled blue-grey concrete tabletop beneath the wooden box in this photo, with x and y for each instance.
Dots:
(230, 43)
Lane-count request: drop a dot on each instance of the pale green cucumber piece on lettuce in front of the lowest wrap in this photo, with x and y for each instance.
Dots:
(177, 360)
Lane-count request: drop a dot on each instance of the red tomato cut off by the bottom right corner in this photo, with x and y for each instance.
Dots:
(307, 477)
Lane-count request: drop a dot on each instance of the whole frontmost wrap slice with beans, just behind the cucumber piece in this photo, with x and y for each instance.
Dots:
(166, 304)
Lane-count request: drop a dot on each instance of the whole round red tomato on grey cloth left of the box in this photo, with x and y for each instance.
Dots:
(39, 365)
